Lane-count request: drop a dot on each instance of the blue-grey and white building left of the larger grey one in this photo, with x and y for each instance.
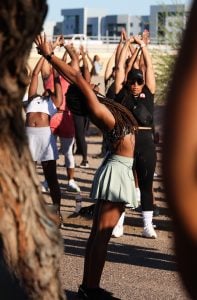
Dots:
(96, 23)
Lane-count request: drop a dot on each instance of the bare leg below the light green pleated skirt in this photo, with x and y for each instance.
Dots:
(105, 218)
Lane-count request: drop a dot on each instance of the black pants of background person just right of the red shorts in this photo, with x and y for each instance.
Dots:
(81, 125)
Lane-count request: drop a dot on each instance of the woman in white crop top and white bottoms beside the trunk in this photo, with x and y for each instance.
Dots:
(41, 140)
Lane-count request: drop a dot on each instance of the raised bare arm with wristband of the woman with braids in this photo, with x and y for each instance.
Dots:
(99, 114)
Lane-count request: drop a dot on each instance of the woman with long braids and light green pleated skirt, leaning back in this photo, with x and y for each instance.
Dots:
(113, 185)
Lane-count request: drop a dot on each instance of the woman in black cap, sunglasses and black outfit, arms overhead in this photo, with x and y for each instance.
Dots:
(136, 92)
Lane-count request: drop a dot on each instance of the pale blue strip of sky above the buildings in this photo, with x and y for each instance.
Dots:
(131, 7)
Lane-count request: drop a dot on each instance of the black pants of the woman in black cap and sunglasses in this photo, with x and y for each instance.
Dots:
(144, 164)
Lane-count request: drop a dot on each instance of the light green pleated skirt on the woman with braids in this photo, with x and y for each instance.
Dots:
(114, 181)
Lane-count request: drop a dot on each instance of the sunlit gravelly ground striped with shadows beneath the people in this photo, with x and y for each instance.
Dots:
(136, 267)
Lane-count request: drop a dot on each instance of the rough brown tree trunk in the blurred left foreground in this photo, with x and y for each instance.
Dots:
(30, 243)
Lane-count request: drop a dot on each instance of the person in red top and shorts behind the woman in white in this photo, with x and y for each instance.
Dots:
(62, 124)
